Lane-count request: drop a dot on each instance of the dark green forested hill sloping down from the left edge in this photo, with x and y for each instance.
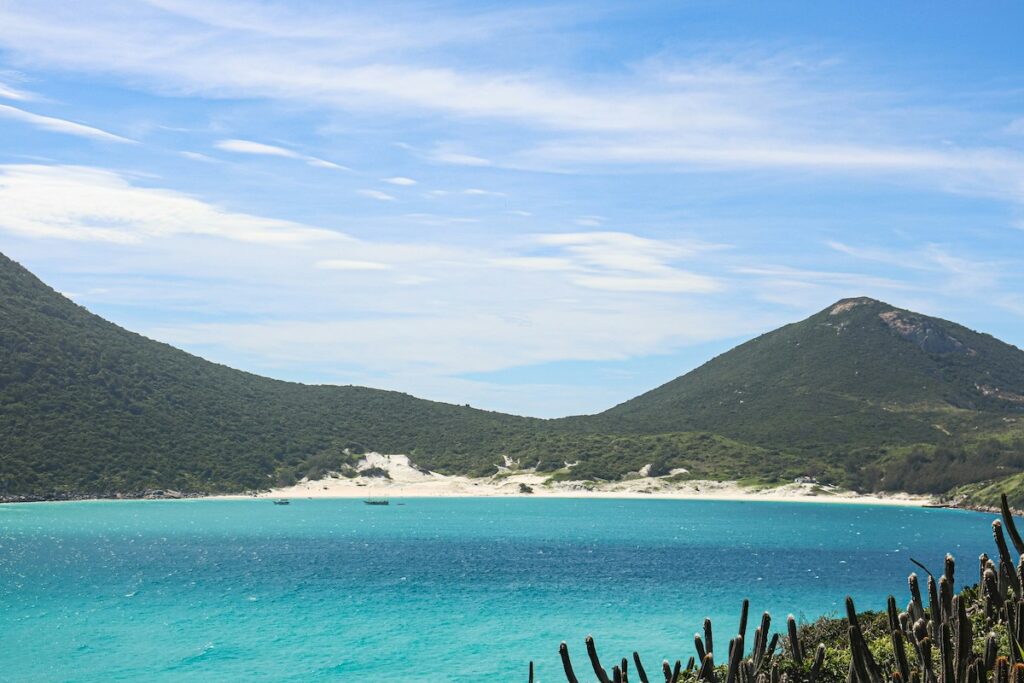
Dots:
(87, 406)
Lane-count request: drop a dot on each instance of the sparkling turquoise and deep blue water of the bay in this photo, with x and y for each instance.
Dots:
(439, 590)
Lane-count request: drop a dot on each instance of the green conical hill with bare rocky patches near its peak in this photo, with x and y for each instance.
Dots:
(860, 383)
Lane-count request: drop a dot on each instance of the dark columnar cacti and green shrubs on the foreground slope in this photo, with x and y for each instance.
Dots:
(943, 636)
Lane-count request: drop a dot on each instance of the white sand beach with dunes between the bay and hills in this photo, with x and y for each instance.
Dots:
(407, 481)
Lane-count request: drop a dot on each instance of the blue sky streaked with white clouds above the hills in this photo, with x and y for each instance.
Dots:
(540, 208)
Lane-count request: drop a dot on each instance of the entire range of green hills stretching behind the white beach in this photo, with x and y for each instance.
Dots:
(861, 395)
